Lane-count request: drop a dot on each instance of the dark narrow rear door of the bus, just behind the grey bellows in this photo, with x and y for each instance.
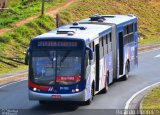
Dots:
(121, 53)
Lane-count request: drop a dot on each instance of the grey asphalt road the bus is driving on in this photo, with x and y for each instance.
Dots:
(15, 96)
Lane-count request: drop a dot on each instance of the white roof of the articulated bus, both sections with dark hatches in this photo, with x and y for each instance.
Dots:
(87, 31)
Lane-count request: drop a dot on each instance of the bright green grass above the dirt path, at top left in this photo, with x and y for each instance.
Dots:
(19, 9)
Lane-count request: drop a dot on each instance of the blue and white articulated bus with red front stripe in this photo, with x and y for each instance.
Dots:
(77, 61)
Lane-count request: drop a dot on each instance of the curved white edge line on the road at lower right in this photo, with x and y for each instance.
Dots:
(137, 93)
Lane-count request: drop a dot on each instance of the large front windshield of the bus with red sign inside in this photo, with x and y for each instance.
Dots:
(60, 67)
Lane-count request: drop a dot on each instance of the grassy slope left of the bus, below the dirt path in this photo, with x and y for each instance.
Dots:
(13, 44)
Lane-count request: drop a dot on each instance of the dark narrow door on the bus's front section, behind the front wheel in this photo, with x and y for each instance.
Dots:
(97, 66)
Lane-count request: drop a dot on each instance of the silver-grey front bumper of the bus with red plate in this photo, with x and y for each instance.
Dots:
(80, 96)
